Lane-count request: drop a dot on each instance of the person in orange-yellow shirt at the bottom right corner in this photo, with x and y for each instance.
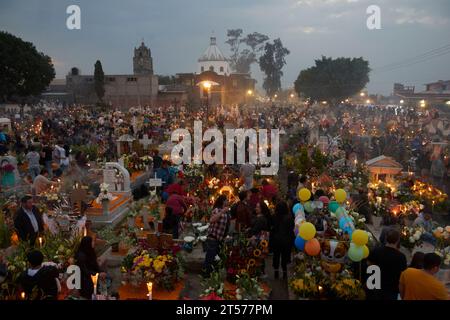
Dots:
(417, 284)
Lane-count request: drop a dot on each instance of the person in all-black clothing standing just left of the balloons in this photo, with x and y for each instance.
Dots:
(282, 238)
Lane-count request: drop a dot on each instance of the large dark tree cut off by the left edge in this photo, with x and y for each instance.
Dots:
(23, 70)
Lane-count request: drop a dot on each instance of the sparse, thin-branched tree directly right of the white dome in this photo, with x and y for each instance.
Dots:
(241, 60)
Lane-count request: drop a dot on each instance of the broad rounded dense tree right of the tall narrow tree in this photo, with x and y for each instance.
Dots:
(333, 79)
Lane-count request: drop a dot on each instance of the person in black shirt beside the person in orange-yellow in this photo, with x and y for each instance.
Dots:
(391, 263)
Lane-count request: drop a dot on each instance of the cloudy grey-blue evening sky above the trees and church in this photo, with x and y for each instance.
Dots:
(178, 32)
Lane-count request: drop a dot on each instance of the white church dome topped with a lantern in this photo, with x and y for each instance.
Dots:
(213, 60)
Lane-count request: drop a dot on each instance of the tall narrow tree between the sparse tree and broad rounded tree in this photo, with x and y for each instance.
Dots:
(272, 63)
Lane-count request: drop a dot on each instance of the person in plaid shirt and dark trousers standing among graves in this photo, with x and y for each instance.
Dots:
(217, 232)
